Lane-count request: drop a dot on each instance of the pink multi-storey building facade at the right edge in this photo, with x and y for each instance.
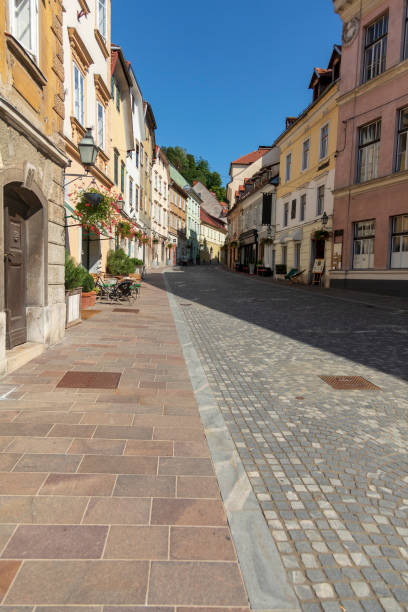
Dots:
(370, 221)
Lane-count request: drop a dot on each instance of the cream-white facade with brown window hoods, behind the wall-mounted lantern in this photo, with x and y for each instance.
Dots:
(86, 43)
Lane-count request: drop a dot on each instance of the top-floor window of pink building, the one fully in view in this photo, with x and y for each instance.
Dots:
(375, 48)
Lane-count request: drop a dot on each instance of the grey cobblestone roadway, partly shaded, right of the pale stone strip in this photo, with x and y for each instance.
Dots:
(329, 467)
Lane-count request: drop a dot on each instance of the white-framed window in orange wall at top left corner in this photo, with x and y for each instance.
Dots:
(24, 24)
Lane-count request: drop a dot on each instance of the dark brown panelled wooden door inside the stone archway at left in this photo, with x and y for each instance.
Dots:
(15, 275)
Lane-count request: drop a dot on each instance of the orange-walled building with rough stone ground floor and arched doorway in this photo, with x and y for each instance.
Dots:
(32, 165)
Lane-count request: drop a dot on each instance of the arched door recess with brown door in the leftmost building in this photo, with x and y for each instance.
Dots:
(24, 269)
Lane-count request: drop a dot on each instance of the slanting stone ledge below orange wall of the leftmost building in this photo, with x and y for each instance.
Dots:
(14, 118)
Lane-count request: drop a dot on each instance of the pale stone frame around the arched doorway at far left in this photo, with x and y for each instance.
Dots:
(37, 261)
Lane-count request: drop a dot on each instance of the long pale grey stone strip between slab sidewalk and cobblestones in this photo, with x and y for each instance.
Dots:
(264, 575)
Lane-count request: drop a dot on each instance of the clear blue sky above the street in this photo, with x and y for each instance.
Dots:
(222, 75)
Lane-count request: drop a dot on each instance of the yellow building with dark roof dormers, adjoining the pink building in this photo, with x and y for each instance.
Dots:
(304, 207)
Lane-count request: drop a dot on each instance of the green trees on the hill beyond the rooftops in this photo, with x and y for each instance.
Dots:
(196, 169)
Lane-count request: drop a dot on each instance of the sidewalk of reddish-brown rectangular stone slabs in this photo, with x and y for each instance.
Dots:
(108, 499)
